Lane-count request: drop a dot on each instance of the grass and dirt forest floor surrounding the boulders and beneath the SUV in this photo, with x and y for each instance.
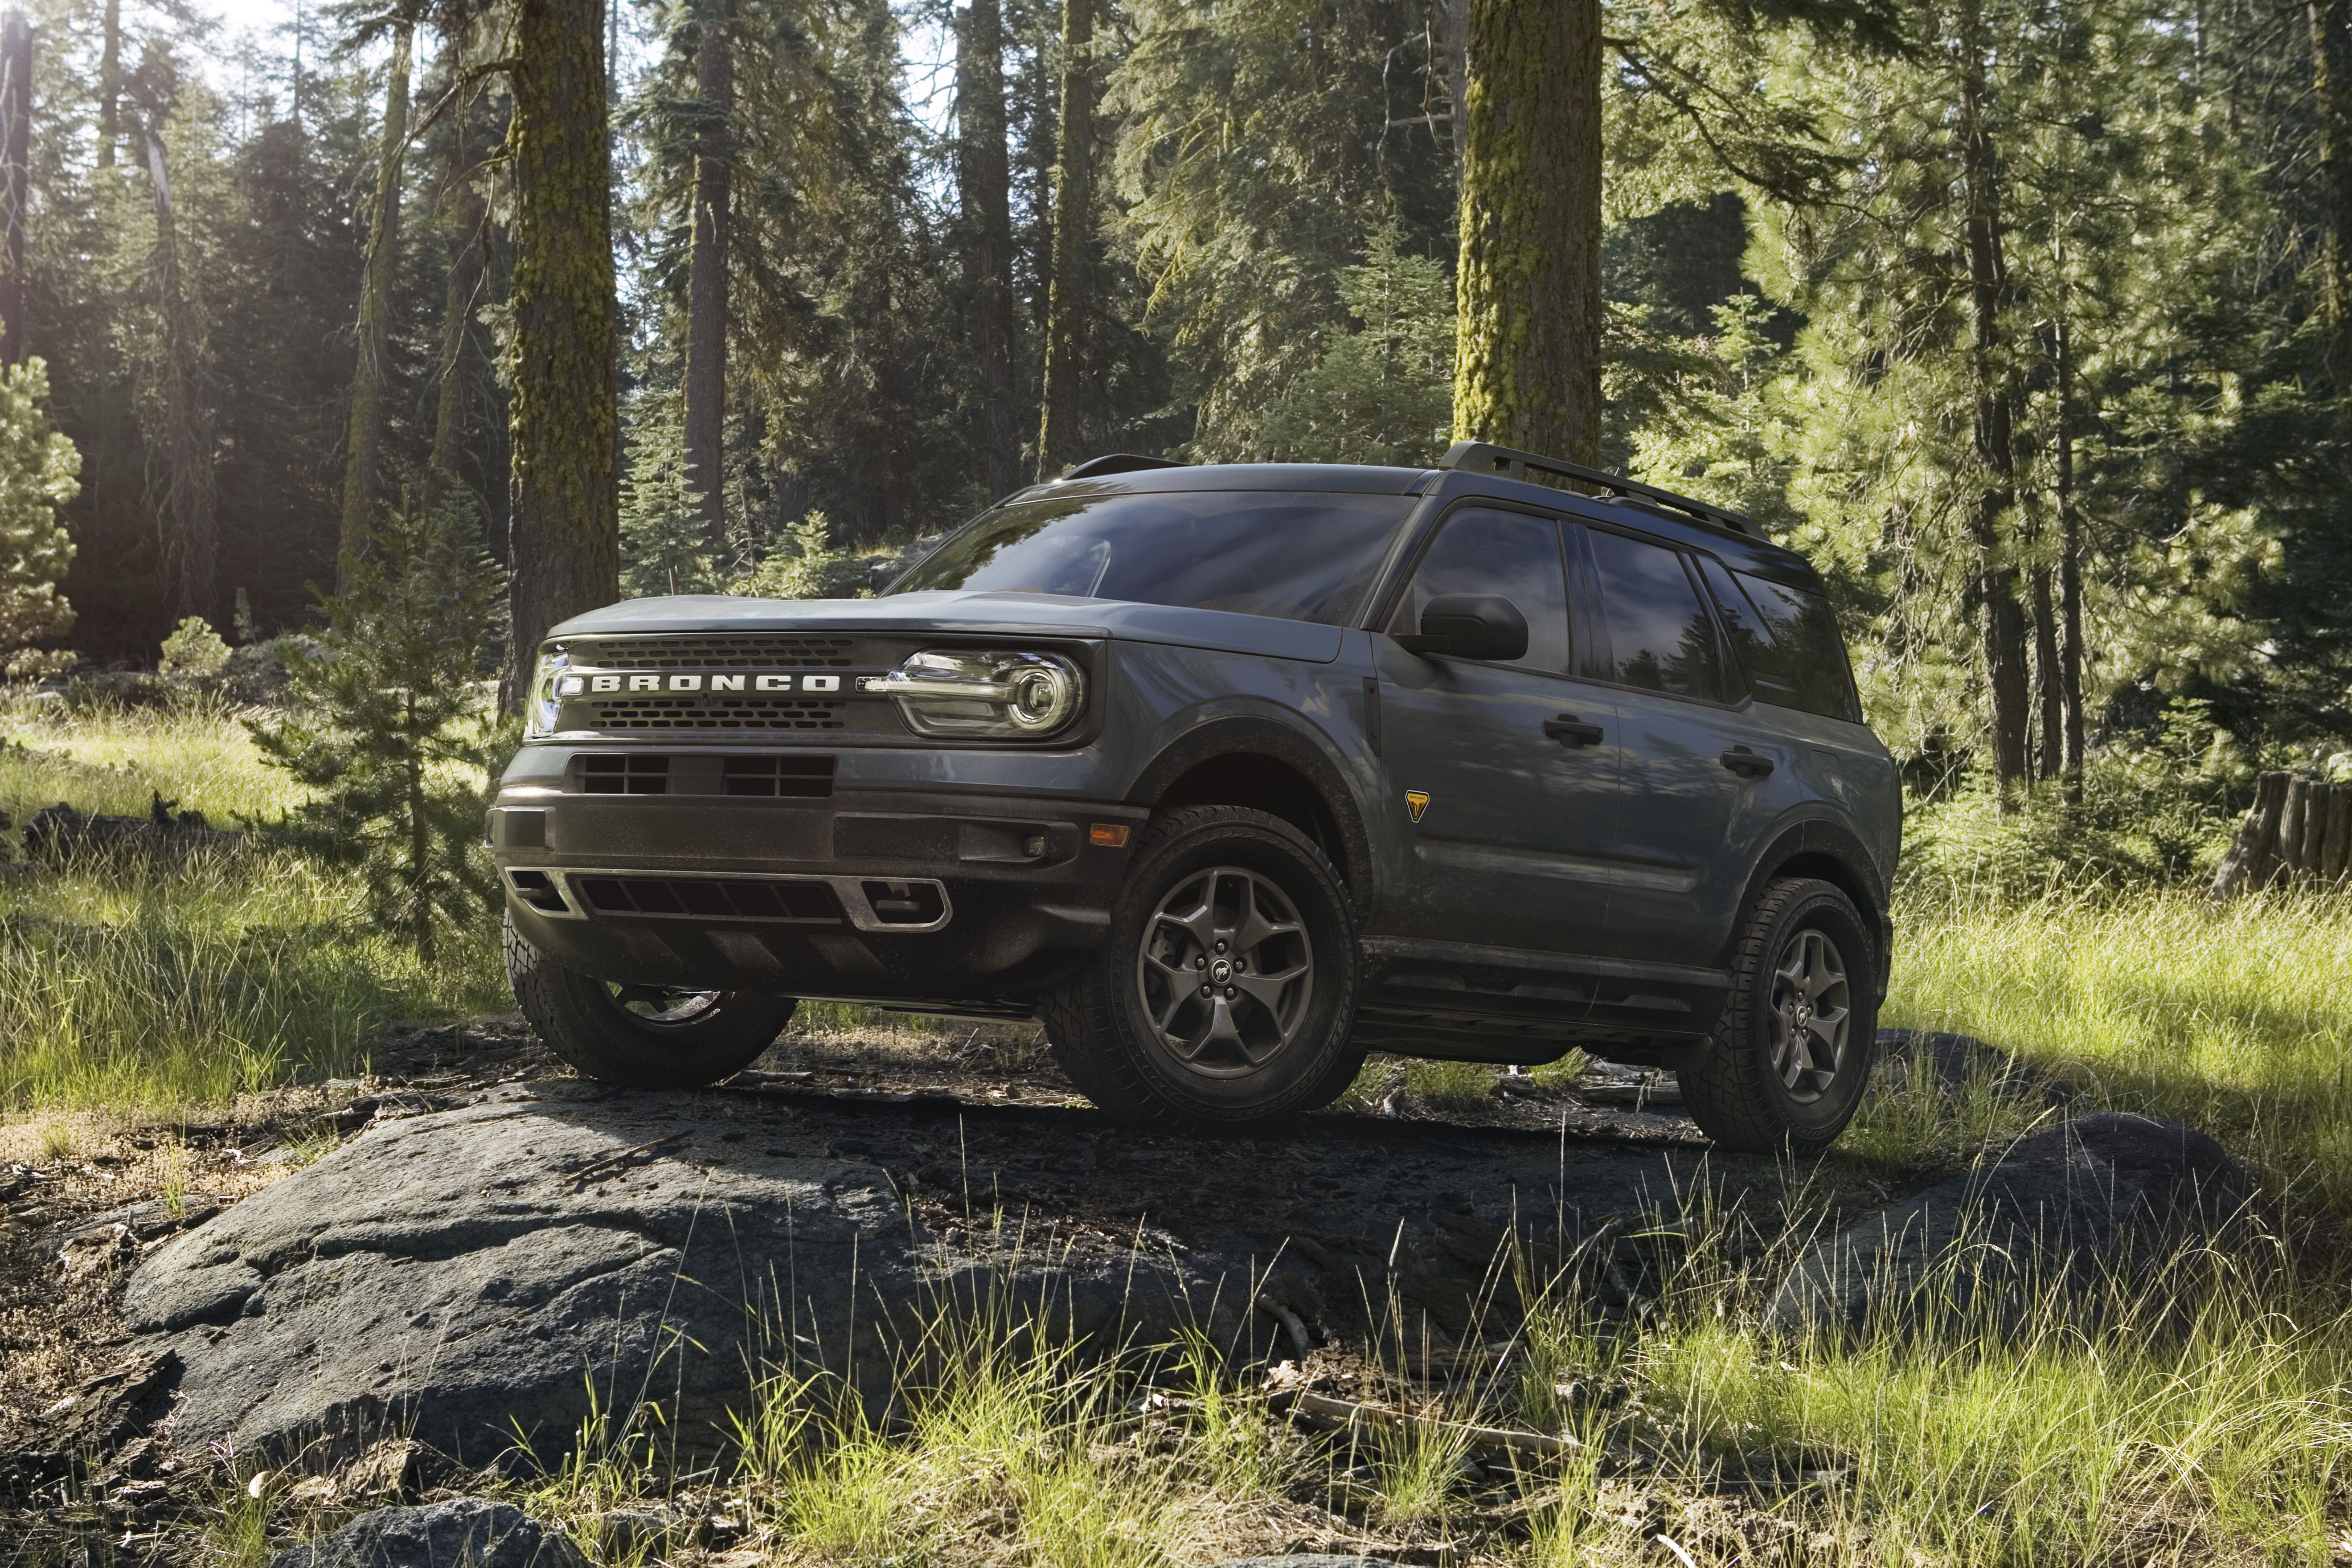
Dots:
(182, 1036)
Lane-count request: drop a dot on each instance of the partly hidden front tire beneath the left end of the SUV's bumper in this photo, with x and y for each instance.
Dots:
(582, 1021)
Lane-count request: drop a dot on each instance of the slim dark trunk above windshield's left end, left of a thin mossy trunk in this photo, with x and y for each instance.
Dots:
(984, 189)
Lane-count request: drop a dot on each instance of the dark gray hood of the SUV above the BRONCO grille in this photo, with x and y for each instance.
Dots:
(1013, 615)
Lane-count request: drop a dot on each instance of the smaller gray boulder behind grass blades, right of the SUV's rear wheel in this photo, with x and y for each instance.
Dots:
(2071, 1224)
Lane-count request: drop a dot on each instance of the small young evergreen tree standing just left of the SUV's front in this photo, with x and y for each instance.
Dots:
(394, 732)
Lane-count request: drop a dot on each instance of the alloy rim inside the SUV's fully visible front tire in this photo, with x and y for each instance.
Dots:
(1227, 972)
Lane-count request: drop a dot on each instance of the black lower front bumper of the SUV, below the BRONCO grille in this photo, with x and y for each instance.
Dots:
(942, 902)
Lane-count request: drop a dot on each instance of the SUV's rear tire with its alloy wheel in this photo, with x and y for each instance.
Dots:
(1737, 1087)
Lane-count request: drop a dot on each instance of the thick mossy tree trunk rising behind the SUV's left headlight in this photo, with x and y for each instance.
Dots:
(563, 532)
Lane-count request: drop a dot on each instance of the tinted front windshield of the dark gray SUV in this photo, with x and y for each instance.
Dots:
(1257, 554)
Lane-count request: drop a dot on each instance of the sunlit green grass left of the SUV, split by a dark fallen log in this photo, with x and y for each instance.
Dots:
(145, 984)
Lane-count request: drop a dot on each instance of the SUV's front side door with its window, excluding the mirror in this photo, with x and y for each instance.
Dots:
(1518, 763)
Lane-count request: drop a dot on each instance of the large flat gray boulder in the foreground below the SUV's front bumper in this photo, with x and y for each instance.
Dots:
(486, 1278)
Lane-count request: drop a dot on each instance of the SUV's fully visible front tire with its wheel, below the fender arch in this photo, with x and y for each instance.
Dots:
(1257, 1059)
